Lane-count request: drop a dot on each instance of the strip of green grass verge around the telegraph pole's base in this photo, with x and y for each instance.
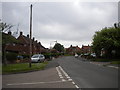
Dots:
(22, 67)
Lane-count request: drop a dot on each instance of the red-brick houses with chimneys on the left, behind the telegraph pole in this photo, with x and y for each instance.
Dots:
(23, 46)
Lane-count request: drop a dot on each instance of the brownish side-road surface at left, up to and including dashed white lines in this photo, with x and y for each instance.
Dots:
(53, 76)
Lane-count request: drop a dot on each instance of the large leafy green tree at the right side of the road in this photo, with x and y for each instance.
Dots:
(108, 39)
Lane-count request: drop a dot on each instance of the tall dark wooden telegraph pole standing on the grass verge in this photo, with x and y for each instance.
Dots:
(30, 35)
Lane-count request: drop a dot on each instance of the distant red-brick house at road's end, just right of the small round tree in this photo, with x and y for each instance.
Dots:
(73, 49)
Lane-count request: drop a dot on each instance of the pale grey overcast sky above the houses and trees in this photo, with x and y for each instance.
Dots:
(70, 23)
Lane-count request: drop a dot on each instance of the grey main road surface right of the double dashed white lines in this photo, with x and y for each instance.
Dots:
(88, 75)
